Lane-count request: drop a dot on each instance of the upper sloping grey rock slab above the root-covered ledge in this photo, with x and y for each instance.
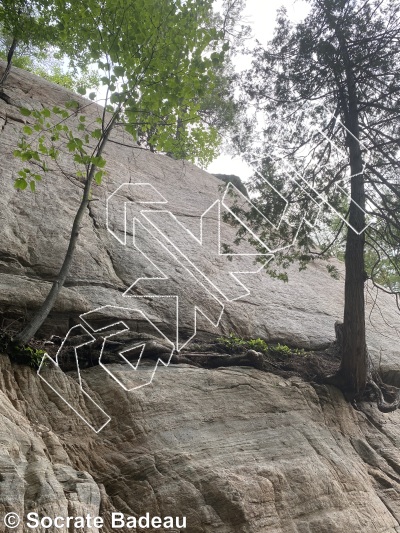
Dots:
(35, 233)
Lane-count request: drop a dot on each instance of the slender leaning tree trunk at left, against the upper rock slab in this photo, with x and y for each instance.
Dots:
(42, 313)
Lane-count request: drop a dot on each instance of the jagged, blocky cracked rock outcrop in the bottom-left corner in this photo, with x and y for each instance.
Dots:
(36, 474)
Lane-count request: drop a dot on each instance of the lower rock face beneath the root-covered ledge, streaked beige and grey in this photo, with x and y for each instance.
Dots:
(233, 450)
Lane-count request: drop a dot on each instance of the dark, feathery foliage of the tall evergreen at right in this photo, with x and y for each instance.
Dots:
(299, 84)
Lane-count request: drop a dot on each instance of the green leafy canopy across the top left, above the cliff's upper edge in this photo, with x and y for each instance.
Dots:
(157, 61)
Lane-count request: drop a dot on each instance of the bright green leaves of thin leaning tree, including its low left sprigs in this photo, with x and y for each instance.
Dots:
(155, 77)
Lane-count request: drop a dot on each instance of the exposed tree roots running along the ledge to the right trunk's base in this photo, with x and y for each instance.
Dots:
(317, 367)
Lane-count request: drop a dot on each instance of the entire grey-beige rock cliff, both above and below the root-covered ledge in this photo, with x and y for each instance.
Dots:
(234, 450)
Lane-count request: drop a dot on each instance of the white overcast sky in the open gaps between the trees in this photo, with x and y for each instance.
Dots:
(261, 16)
